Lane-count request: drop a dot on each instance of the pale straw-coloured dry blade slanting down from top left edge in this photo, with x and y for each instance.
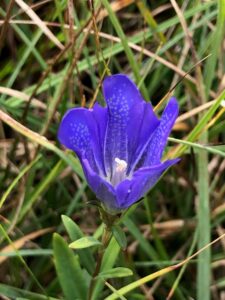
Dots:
(39, 23)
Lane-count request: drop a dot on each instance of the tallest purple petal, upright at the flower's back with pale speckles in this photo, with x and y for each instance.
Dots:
(126, 109)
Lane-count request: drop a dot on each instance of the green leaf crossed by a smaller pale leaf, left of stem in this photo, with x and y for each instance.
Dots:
(86, 257)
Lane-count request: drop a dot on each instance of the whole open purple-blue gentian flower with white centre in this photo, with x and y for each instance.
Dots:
(119, 146)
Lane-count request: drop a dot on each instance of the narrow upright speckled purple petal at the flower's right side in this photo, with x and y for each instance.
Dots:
(155, 148)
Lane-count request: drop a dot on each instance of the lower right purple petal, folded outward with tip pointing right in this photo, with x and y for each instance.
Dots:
(131, 190)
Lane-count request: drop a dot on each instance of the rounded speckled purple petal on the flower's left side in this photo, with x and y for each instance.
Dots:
(82, 130)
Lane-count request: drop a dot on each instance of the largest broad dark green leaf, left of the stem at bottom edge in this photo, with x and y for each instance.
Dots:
(68, 269)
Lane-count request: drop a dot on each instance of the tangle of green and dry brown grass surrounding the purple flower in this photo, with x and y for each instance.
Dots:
(54, 55)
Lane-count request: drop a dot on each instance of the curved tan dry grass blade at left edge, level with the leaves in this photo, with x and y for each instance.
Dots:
(20, 242)
